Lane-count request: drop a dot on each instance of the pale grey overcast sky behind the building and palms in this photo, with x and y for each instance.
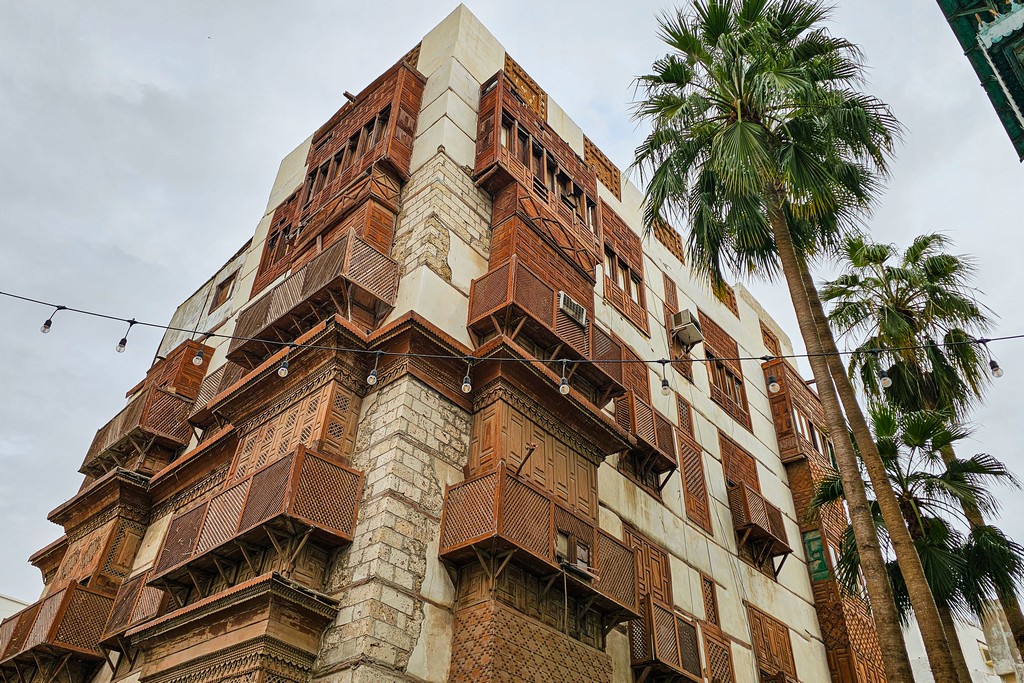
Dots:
(140, 146)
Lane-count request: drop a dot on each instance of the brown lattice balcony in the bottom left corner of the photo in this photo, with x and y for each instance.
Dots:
(68, 623)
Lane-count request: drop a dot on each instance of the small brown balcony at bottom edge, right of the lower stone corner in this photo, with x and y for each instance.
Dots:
(664, 643)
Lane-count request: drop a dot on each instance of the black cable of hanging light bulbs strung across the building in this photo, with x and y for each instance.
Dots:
(997, 371)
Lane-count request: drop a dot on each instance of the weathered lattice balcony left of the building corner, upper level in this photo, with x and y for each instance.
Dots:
(349, 274)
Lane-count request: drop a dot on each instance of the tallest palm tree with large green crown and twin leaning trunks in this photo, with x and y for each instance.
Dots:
(761, 139)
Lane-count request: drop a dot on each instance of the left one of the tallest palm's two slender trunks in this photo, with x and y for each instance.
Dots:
(894, 657)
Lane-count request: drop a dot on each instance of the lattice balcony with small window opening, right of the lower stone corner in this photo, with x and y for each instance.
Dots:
(500, 514)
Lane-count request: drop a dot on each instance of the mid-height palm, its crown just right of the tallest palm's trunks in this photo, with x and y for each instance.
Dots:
(916, 318)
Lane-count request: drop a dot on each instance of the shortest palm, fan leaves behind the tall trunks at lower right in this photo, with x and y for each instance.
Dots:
(964, 572)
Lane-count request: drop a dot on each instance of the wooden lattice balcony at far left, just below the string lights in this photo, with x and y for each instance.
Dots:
(155, 414)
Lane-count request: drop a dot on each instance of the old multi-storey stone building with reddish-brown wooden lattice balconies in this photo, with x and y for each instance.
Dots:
(444, 419)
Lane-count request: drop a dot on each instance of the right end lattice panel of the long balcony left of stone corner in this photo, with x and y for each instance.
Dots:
(328, 495)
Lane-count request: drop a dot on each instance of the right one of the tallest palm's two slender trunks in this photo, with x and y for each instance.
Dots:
(922, 601)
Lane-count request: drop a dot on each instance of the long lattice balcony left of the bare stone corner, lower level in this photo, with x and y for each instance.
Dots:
(302, 490)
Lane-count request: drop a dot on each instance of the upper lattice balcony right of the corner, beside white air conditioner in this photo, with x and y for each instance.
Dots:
(514, 301)
